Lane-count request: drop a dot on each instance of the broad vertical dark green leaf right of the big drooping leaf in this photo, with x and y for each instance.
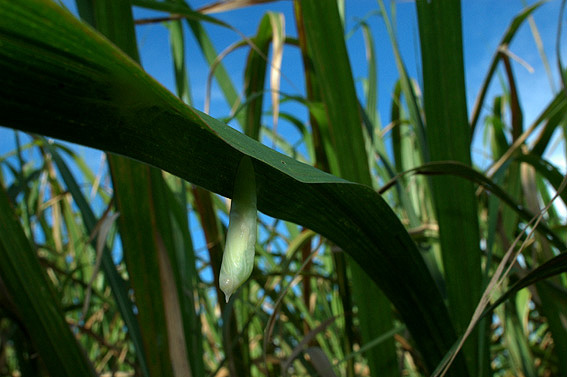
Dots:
(447, 125)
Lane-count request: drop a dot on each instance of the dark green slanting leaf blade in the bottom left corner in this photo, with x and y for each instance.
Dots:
(32, 293)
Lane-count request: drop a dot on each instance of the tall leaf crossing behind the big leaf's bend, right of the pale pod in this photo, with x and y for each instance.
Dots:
(325, 38)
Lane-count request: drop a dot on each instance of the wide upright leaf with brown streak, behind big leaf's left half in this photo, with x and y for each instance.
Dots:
(137, 189)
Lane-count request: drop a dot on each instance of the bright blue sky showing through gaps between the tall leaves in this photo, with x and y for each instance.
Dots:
(484, 23)
